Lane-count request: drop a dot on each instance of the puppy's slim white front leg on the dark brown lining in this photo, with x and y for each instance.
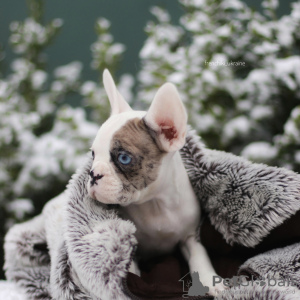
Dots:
(198, 260)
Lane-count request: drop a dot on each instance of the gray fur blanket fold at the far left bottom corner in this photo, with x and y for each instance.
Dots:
(27, 259)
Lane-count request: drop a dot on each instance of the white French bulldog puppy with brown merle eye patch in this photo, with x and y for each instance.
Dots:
(137, 165)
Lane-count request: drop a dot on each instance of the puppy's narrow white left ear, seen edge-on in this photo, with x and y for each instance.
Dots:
(117, 102)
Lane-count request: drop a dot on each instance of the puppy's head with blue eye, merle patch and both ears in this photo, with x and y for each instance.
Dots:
(130, 146)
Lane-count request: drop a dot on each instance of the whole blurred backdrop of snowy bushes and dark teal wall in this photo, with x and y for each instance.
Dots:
(236, 64)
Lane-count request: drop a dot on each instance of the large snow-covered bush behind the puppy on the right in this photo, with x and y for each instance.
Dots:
(238, 72)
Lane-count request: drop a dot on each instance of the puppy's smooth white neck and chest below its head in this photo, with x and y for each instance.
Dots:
(167, 212)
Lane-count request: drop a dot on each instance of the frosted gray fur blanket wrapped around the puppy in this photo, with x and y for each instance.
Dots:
(80, 249)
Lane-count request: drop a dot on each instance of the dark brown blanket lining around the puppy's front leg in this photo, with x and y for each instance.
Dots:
(160, 276)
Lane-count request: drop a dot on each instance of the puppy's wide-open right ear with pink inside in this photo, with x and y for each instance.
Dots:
(168, 118)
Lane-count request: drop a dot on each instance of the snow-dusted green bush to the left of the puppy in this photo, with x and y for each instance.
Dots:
(43, 139)
